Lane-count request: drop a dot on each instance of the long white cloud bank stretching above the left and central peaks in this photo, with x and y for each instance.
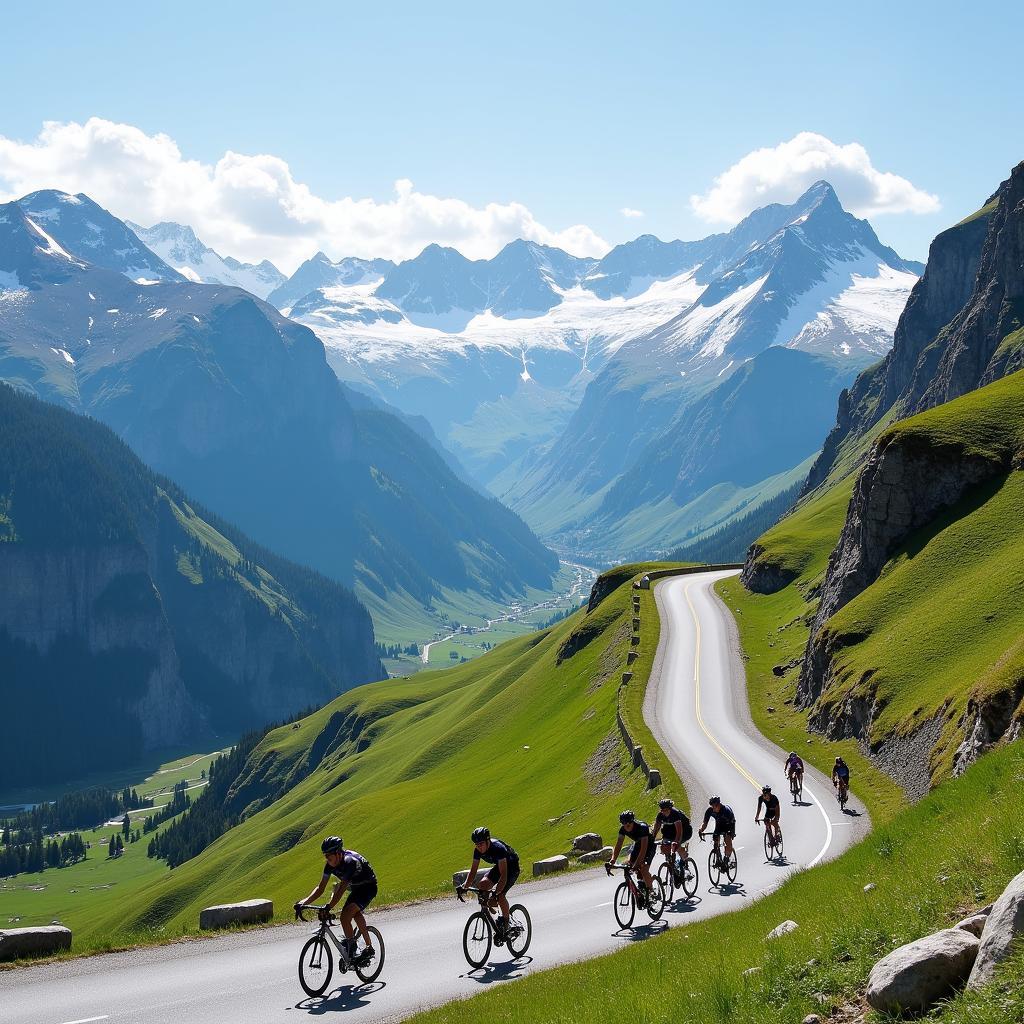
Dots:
(251, 207)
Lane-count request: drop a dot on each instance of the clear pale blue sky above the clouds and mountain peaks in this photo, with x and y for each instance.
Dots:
(576, 111)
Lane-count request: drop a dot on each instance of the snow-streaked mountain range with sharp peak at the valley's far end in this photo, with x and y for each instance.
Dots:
(498, 354)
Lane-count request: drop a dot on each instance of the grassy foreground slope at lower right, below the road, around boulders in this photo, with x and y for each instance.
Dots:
(930, 866)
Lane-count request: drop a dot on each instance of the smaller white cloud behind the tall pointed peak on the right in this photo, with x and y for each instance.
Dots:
(781, 175)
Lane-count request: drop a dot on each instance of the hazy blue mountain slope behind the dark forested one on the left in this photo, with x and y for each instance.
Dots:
(215, 389)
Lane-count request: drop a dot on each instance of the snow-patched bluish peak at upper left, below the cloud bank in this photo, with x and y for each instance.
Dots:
(92, 234)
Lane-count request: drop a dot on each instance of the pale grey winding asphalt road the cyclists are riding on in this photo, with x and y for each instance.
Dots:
(697, 706)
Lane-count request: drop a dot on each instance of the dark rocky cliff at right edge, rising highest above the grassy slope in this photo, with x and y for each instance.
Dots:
(963, 326)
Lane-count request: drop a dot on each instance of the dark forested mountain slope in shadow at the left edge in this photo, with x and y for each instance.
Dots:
(134, 620)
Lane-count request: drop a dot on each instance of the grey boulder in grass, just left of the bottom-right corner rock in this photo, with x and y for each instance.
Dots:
(915, 977)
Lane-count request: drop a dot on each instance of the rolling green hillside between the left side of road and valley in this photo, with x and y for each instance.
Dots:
(524, 739)
